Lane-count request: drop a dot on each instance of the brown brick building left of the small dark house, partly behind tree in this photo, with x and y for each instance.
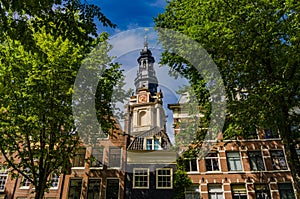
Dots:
(101, 176)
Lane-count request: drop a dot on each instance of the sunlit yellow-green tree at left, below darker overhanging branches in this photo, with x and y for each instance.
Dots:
(36, 118)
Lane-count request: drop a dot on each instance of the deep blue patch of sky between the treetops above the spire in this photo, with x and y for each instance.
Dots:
(129, 14)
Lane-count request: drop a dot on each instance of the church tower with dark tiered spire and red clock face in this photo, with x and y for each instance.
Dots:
(145, 107)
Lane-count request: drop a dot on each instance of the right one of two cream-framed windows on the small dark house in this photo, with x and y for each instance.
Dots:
(164, 178)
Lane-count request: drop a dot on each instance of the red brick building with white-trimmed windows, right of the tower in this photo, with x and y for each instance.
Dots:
(250, 168)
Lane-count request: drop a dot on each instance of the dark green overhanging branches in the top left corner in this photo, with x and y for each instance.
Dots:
(14, 15)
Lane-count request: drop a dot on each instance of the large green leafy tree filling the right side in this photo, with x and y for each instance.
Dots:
(255, 45)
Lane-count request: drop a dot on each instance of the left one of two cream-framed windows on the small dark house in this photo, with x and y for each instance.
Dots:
(140, 178)
